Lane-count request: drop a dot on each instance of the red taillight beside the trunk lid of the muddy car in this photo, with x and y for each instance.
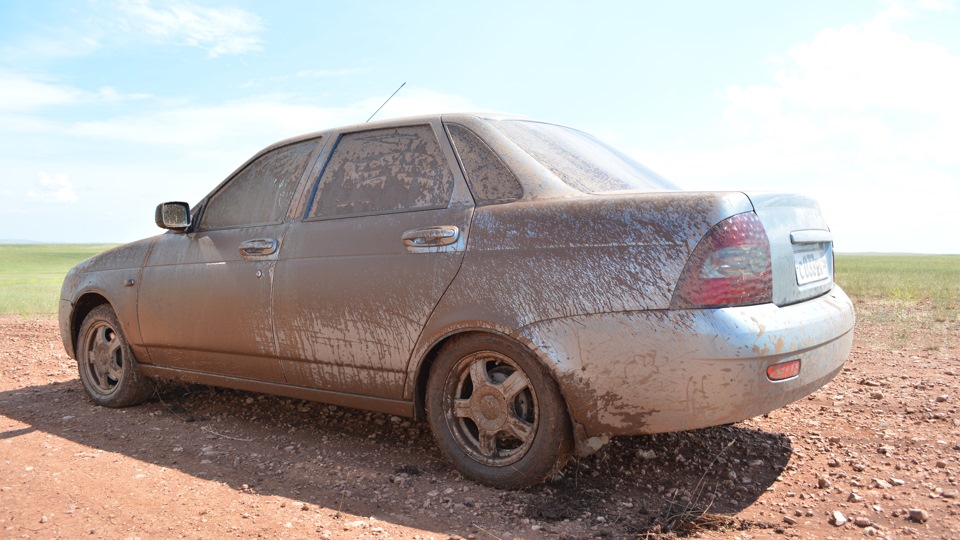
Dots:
(729, 267)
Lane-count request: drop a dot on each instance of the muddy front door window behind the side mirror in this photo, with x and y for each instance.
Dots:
(262, 191)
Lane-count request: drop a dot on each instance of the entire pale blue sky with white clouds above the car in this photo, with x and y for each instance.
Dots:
(110, 107)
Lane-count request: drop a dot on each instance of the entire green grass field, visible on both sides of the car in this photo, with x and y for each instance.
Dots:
(31, 274)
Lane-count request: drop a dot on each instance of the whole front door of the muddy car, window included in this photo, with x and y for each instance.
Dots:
(205, 301)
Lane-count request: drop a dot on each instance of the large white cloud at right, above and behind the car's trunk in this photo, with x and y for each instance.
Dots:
(865, 118)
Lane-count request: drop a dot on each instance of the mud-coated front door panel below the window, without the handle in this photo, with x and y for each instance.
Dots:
(206, 307)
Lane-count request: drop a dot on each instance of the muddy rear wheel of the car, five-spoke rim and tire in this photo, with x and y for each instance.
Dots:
(496, 413)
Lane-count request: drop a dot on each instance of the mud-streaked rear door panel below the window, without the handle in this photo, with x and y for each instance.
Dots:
(351, 301)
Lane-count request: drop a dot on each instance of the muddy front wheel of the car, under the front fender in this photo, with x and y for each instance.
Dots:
(108, 370)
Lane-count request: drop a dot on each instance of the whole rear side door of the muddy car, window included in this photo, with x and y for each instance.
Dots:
(383, 236)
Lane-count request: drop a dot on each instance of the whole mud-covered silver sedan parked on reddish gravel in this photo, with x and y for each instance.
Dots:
(524, 288)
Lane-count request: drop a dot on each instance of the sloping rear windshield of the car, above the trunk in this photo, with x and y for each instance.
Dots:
(580, 160)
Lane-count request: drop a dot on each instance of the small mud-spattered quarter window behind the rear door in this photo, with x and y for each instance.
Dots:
(490, 181)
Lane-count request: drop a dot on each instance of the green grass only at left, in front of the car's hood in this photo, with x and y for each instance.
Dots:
(31, 275)
